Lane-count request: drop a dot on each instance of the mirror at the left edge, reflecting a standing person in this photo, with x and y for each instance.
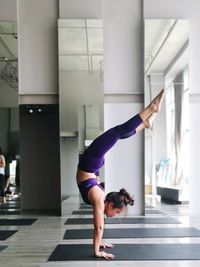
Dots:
(9, 116)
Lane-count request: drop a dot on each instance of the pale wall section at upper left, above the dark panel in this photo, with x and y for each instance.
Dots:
(37, 35)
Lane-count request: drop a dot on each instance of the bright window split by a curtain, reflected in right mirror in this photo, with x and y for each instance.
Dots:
(184, 138)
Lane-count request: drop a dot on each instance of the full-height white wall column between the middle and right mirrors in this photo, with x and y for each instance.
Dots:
(123, 77)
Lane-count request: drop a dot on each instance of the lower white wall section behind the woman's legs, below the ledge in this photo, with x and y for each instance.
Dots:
(123, 161)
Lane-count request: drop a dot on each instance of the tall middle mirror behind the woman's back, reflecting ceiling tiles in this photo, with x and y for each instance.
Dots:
(80, 46)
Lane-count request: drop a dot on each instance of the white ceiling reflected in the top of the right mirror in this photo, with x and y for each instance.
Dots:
(165, 42)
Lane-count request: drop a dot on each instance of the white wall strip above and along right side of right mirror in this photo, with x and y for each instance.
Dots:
(185, 9)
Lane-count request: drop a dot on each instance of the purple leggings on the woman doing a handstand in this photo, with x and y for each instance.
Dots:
(93, 158)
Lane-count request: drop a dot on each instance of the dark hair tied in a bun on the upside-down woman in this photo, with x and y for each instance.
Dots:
(120, 199)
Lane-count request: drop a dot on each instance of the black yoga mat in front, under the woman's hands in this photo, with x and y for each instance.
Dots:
(129, 252)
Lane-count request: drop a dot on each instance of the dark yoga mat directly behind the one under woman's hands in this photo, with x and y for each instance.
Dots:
(134, 233)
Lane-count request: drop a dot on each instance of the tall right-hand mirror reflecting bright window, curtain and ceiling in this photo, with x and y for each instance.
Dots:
(166, 143)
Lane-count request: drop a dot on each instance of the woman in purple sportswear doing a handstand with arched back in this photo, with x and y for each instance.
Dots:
(92, 160)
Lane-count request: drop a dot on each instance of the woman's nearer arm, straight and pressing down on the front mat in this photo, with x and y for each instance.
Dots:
(97, 197)
